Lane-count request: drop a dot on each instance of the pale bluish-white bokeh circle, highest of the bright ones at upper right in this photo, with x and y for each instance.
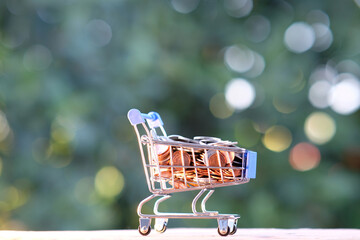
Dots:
(299, 37)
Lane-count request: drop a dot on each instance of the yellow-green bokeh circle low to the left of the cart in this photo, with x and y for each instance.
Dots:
(109, 182)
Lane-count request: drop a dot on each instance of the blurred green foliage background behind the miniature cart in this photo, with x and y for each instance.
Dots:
(70, 71)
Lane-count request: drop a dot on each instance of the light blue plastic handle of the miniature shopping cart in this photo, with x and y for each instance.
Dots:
(136, 117)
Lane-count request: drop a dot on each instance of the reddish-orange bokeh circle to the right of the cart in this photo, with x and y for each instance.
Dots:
(304, 156)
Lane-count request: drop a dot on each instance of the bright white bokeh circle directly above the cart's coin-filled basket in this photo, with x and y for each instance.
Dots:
(239, 93)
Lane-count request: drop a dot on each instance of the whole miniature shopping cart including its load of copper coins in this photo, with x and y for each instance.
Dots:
(177, 164)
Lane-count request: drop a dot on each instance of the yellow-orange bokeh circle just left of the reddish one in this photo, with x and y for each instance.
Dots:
(277, 138)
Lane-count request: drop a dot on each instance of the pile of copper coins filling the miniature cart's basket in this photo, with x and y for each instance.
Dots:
(185, 167)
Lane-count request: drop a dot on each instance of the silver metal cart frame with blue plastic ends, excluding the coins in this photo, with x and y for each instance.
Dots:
(227, 223)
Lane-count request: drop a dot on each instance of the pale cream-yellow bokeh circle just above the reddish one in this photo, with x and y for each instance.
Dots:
(319, 127)
